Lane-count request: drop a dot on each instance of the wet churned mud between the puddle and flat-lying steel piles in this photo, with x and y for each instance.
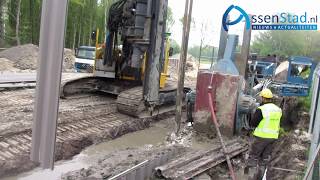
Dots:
(118, 161)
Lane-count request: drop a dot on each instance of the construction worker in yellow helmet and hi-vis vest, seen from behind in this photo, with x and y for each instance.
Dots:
(266, 121)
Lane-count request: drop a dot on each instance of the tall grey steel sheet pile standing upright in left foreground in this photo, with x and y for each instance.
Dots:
(53, 22)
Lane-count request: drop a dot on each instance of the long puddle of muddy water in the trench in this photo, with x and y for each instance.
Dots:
(151, 136)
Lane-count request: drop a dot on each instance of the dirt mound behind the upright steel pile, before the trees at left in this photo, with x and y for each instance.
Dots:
(25, 57)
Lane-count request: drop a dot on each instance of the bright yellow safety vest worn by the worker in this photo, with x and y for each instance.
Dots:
(269, 126)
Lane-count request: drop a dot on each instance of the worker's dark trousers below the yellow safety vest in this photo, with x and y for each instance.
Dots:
(260, 152)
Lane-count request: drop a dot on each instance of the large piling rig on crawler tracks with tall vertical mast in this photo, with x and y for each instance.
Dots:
(133, 63)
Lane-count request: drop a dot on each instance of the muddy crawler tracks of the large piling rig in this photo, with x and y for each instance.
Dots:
(129, 94)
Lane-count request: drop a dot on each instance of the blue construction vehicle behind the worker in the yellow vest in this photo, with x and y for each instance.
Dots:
(290, 78)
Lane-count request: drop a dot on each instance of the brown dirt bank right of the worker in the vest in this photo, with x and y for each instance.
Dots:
(291, 150)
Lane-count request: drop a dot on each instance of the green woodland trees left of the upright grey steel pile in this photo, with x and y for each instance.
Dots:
(19, 22)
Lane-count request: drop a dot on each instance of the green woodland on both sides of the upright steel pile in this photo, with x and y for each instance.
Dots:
(20, 21)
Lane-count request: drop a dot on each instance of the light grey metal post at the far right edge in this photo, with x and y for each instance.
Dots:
(316, 131)
